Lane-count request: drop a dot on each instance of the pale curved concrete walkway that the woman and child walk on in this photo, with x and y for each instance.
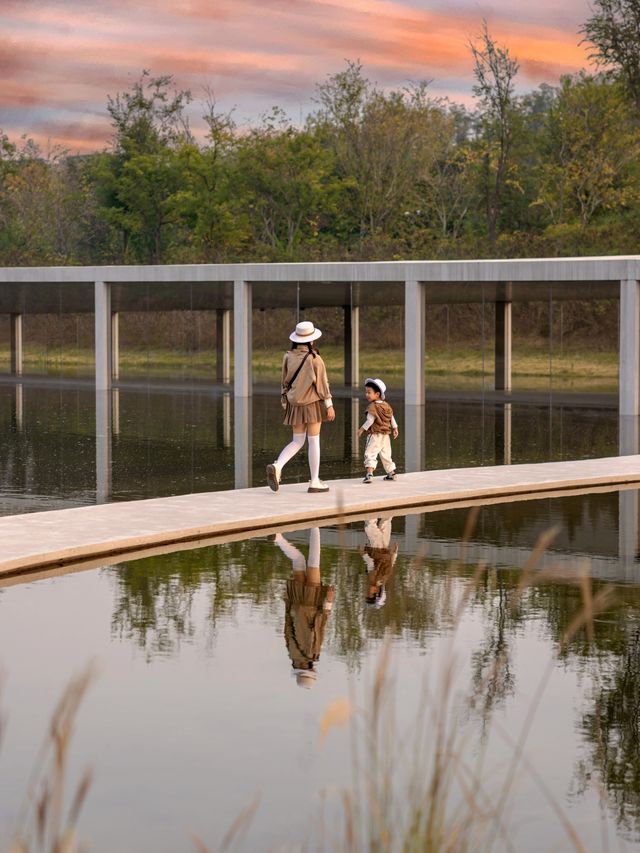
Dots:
(104, 533)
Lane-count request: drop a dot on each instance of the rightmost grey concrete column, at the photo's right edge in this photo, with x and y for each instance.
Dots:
(629, 358)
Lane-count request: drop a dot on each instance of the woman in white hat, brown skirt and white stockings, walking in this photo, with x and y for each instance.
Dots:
(307, 400)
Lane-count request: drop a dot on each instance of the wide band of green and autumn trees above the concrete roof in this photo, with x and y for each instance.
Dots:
(371, 174)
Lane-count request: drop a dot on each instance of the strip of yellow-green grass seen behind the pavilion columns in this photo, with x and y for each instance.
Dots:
(446, 368)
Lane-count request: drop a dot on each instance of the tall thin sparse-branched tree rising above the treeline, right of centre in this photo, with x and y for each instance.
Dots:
(495, 72)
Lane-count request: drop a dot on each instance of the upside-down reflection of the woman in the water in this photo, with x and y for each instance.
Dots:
(308, 603)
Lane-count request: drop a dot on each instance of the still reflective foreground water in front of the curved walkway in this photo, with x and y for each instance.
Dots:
(216, 668)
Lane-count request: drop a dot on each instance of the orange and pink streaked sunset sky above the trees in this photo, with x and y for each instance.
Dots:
(59, 59)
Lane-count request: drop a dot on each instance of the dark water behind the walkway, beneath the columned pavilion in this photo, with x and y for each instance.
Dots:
(60, 445)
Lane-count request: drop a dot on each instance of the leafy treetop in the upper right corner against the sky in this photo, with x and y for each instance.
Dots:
(614, 32)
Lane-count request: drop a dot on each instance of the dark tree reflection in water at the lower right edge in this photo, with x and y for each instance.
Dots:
(612, 727)
